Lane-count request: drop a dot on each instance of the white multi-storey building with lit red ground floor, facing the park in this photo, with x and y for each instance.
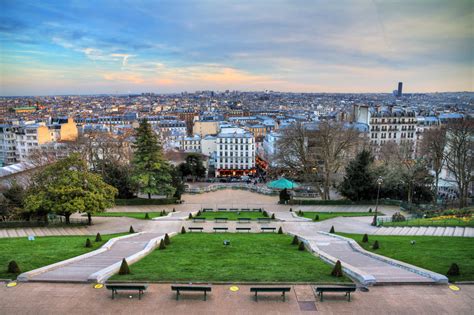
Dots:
(235, 153)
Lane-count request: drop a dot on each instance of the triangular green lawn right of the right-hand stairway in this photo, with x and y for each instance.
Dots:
(434, 253)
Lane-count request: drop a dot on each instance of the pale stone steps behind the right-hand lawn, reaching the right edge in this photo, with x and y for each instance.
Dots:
(426, 231)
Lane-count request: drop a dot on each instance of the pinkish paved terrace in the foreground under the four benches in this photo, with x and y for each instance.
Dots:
(55, 298)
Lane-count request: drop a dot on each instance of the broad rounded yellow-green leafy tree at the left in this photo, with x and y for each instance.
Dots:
(67, 186)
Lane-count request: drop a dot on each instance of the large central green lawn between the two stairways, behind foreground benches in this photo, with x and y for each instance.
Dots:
(250, 258)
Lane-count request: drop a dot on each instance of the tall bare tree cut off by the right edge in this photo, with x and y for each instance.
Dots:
(460, 155)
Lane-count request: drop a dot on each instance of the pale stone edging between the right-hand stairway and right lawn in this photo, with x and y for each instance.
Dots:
(438, 278)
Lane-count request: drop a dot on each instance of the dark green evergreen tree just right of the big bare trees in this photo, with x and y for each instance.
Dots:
(358, 184)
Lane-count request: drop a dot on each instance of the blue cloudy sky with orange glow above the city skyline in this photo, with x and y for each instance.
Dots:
(92, 47)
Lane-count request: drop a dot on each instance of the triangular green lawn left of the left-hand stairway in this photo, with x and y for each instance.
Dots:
(43, 251)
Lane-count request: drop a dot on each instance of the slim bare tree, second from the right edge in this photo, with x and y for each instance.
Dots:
(433, 150)
